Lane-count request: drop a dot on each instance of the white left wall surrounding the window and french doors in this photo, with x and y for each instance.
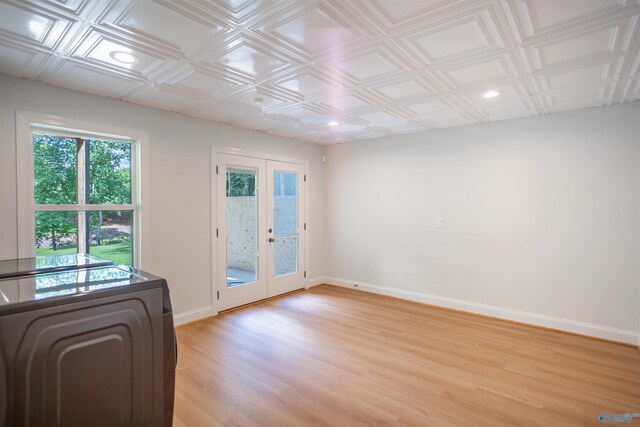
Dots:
(179, 152)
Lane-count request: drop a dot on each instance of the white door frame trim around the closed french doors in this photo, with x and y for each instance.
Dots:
(215, 151)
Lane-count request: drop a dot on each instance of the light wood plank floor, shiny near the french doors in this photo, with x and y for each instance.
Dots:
(338, 357)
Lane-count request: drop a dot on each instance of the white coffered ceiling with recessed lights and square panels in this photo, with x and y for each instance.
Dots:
(373, 67)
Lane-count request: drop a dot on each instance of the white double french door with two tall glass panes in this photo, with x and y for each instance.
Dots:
(260, 229)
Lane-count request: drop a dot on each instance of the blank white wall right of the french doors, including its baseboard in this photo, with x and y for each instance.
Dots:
(542, 218)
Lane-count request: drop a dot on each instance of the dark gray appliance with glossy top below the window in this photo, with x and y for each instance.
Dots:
(86, 346)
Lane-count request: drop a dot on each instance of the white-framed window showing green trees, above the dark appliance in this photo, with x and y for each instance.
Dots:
(83, 192)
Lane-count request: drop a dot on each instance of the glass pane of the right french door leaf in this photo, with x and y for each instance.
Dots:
(285, 214)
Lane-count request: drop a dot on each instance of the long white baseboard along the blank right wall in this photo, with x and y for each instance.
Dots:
(583, 328)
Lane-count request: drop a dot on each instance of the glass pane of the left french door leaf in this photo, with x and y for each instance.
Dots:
(242, 225)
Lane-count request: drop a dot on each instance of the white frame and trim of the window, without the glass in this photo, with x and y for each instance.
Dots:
(26, 122)
